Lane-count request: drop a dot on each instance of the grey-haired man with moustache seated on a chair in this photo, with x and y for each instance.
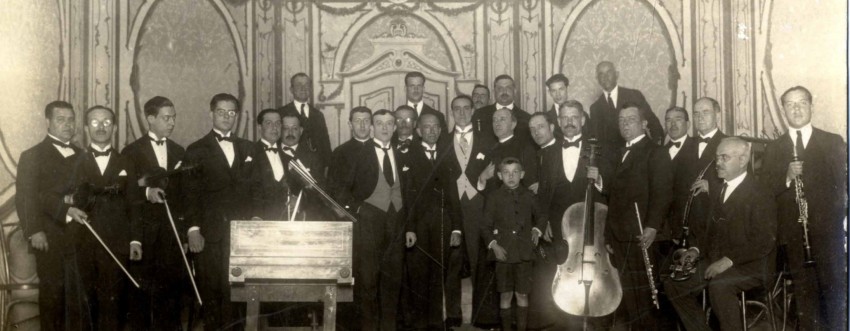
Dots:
(739, 251)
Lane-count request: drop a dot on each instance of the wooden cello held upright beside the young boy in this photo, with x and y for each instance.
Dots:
(586, 284)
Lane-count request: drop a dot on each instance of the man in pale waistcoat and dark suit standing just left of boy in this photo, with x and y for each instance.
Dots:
(466, 161)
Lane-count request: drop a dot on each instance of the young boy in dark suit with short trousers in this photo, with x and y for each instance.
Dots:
(512, 223)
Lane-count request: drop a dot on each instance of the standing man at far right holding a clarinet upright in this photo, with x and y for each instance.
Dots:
(820, 165)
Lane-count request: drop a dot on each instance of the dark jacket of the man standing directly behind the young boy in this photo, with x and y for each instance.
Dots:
(514, 147)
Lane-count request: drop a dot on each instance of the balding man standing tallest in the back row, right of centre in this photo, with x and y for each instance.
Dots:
(605, 110)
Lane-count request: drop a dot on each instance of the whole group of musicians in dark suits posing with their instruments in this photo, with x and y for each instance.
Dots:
(435, 205)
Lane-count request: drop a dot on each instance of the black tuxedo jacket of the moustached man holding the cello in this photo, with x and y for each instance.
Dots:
(556, 193)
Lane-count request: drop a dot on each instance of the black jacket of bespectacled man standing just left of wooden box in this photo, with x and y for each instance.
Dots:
(218, 192)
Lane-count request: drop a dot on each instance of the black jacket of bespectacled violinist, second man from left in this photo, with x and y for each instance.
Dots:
(109, 214)
